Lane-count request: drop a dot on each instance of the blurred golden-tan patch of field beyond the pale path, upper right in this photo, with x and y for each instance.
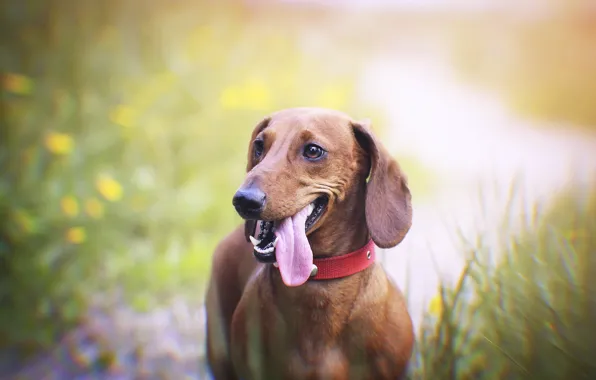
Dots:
(543, 65)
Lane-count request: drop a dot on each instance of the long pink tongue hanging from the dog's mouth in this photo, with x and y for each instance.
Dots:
(292, 251)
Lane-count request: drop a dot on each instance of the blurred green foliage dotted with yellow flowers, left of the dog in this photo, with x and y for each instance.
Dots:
(124, 134)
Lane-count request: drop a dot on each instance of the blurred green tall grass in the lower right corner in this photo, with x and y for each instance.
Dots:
(531, 316)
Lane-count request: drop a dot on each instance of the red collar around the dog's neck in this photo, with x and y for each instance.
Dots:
(330, 268)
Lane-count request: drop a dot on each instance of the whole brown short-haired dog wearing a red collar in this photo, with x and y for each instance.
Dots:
(276, 317)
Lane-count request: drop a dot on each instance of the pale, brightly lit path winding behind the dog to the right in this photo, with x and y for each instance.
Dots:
(470, 141)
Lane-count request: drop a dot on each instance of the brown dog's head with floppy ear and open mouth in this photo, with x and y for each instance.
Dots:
(301, 164)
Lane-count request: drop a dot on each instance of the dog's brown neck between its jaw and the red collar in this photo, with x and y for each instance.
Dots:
(344, 229)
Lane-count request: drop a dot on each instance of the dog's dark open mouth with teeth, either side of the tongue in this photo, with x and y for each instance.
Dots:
(264, 244)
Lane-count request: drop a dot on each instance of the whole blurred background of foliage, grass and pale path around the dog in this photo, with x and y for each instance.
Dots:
(124, 127)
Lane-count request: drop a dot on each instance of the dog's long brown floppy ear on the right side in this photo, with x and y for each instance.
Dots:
(388, 200)
